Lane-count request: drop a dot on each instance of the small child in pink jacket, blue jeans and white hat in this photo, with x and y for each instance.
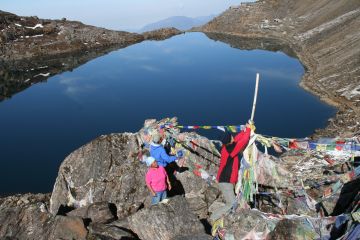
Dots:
(156, 180)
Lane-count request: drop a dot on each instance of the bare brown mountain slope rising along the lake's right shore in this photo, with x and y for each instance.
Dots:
(323, 34)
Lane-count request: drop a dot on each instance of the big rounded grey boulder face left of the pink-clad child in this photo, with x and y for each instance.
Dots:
(106, 169)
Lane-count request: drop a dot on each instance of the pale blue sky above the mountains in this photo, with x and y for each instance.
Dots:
(116, 14)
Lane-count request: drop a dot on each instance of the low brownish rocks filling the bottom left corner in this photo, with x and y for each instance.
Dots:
(26, 217)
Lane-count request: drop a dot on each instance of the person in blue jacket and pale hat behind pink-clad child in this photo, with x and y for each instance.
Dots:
(158, 152)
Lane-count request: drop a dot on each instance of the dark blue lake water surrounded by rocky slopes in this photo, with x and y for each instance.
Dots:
(198, 80)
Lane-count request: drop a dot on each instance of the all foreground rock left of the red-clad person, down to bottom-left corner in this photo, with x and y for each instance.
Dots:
(104, 181)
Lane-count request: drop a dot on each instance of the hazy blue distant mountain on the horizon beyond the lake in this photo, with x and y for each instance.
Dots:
(179, 22)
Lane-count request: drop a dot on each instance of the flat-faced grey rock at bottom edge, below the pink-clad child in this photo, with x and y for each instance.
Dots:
(166, 221)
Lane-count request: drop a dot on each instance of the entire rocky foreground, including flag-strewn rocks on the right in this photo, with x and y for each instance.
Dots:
(100, 193)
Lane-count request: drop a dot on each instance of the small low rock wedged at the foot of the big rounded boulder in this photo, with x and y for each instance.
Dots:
(98, 212)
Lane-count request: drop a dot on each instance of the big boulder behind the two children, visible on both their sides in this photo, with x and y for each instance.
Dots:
(109, 169)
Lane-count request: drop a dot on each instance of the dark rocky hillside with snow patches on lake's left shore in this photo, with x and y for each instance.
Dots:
(31, 37)
